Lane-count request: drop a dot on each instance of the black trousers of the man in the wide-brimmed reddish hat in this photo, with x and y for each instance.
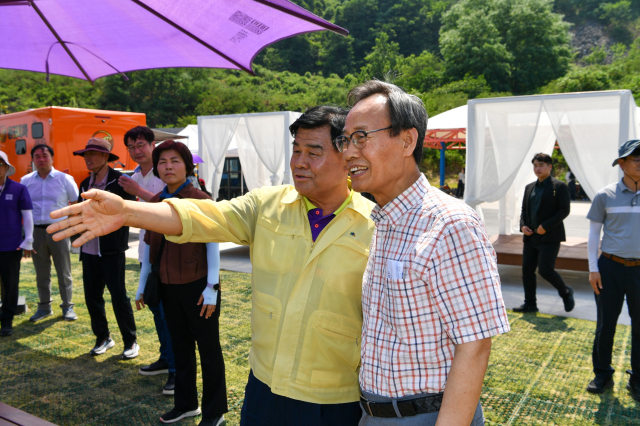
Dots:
(98, 271)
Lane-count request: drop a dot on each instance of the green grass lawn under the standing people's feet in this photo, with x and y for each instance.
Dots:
(537, 372)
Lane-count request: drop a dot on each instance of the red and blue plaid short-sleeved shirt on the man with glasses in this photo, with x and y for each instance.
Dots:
(431, 283)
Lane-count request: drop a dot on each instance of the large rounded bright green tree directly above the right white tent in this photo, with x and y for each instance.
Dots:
(518, 45)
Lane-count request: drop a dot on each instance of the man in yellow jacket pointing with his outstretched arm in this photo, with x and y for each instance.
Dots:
(309, 249)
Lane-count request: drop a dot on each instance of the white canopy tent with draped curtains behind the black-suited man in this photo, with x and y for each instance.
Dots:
(504, 134)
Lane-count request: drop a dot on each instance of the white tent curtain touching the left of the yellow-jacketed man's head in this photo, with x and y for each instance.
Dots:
(267, 135)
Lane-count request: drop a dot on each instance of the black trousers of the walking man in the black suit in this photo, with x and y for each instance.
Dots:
(543, 257)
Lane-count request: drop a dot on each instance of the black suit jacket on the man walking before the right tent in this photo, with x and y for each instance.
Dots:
(555, 205)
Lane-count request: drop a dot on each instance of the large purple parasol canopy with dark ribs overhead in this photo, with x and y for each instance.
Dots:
(88, 39)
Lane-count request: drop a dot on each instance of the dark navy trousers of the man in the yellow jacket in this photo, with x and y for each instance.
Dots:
(262, 407)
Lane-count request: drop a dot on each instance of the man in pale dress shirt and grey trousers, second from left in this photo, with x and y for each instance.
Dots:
(50, 190)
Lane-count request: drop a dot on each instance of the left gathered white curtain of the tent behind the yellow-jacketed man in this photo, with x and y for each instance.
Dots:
(214, 138)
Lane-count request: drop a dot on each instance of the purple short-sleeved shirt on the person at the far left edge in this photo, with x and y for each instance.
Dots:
(14, 198)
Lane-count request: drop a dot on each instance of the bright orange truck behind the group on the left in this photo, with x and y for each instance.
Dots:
(65, 130)
